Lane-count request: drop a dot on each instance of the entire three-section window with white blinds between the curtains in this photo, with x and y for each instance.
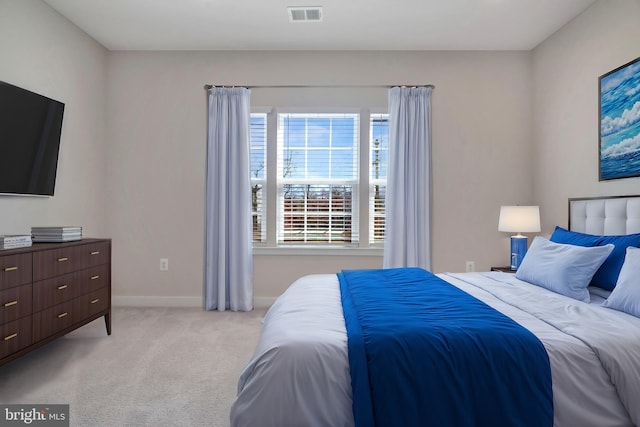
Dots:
(314, 183)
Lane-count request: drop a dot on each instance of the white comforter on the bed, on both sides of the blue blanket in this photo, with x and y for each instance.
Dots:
(299, 374)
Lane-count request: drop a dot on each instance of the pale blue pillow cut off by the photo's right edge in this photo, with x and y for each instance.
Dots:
(626, 295)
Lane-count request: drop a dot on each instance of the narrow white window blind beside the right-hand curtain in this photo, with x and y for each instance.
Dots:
(378, 153)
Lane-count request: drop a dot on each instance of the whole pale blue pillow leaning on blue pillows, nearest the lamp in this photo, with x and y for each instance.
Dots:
(562, 268)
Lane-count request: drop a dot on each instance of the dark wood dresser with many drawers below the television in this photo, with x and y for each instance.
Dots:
(50, 289)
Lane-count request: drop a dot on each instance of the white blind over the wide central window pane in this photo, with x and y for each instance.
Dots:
(317, 179)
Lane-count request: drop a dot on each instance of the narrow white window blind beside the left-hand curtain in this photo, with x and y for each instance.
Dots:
(258, 141)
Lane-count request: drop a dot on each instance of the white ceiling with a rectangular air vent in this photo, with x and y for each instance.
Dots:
(346, 25)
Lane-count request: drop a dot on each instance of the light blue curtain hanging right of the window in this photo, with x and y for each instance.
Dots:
(408, 205)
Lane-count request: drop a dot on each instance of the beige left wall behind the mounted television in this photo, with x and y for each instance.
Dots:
(43, 52)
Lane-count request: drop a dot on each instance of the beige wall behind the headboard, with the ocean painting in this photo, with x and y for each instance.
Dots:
(566, 68)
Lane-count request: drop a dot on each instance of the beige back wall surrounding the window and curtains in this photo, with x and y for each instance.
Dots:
(156, 137)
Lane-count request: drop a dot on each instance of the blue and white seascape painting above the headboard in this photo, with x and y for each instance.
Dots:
(620, 122)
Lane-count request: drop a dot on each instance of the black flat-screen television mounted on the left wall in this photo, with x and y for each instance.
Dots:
(30, 129)
